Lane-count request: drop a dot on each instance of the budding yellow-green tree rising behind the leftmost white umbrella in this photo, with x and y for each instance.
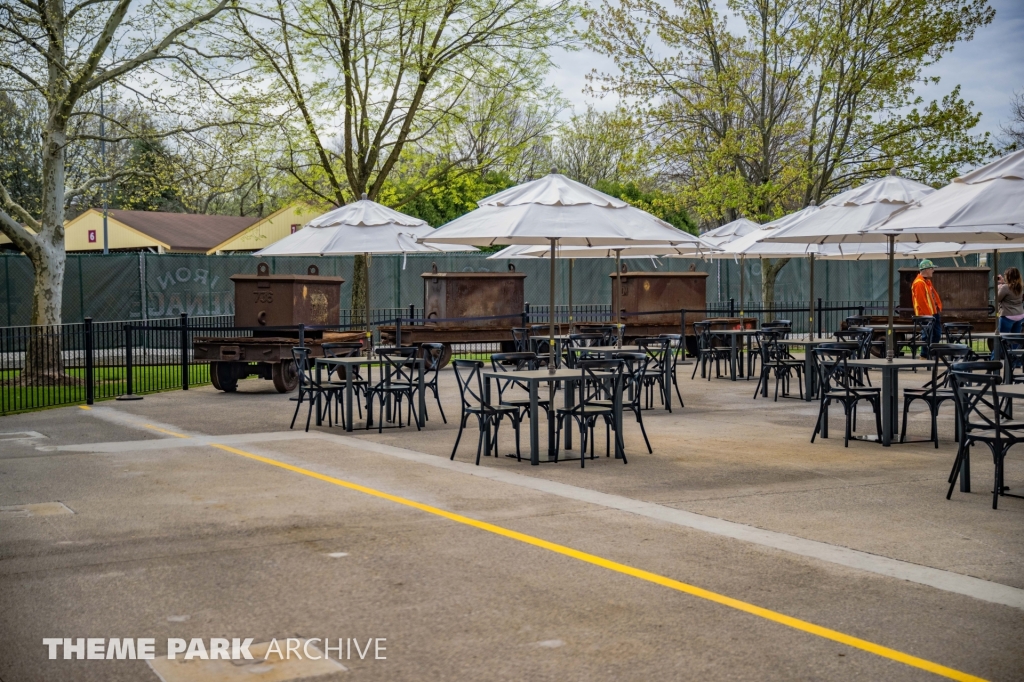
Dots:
(388, 77)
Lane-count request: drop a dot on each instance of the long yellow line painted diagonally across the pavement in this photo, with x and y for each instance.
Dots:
(766, 614)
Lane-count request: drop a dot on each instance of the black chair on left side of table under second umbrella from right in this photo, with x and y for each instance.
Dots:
(837, 385)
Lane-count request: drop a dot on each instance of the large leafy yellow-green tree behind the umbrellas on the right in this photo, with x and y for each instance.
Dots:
(807, 99)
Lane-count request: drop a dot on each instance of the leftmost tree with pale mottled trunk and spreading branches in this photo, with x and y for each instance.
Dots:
(52, 52)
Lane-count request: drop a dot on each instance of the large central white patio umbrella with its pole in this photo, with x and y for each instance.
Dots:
(556, 211)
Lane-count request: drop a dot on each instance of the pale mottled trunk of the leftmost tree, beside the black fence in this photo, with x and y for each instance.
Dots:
(44, 361)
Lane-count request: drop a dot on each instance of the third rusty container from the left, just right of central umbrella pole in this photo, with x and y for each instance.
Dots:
(641, 292)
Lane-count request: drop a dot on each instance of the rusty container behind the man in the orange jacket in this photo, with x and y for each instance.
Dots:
(964, 292)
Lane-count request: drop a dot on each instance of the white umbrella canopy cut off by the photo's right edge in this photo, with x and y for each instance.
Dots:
(986, 205)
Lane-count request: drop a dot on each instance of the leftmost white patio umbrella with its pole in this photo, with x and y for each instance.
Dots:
(361, 228)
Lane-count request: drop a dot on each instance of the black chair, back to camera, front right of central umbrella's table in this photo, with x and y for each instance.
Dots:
(600, 378)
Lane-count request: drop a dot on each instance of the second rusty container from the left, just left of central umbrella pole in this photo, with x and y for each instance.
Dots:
(474, 295)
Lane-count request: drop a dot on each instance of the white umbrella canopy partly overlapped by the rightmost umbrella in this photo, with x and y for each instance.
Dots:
(844, 218)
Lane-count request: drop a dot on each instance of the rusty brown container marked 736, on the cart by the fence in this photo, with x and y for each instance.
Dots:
(286, 301)
